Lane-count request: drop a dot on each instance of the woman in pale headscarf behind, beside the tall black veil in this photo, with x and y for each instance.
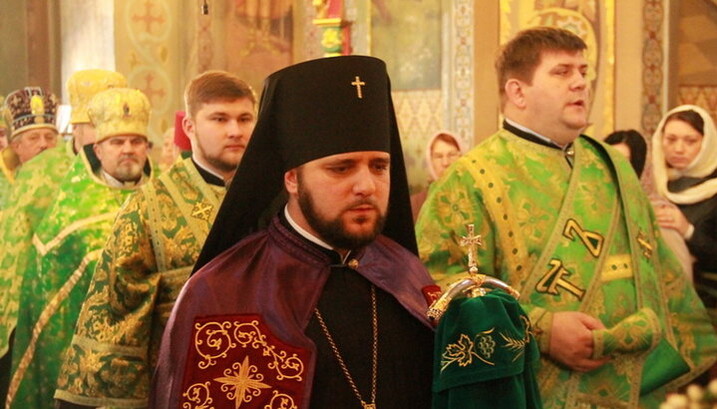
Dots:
(441, 151)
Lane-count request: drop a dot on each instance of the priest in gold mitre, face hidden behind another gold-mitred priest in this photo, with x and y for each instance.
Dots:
(34, 190)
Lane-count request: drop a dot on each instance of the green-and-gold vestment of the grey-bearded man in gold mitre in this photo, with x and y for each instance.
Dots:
(66, 246)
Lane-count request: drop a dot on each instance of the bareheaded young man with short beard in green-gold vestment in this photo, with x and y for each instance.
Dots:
(153, 245)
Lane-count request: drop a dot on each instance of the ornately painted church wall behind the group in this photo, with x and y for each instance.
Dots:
(160, 44)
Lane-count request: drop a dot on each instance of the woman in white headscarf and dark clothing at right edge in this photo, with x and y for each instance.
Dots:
(684, 160)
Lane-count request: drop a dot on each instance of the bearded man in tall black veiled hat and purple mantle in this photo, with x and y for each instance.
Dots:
(325, 308)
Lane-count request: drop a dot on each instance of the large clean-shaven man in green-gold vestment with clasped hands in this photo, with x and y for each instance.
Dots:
(565, 222)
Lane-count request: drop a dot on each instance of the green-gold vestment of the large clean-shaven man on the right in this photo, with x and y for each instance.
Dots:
(574, 238)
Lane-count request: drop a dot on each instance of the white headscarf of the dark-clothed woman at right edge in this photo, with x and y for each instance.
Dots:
(703, 165)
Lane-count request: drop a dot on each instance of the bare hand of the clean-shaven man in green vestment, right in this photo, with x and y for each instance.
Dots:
(571, 340)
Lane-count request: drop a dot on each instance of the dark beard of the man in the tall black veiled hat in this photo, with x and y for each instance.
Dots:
(333, 231)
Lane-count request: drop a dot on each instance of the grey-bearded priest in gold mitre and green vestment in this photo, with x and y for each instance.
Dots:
(69, 239)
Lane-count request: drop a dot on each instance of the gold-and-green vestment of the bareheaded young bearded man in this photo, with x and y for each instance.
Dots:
(154, 244)
